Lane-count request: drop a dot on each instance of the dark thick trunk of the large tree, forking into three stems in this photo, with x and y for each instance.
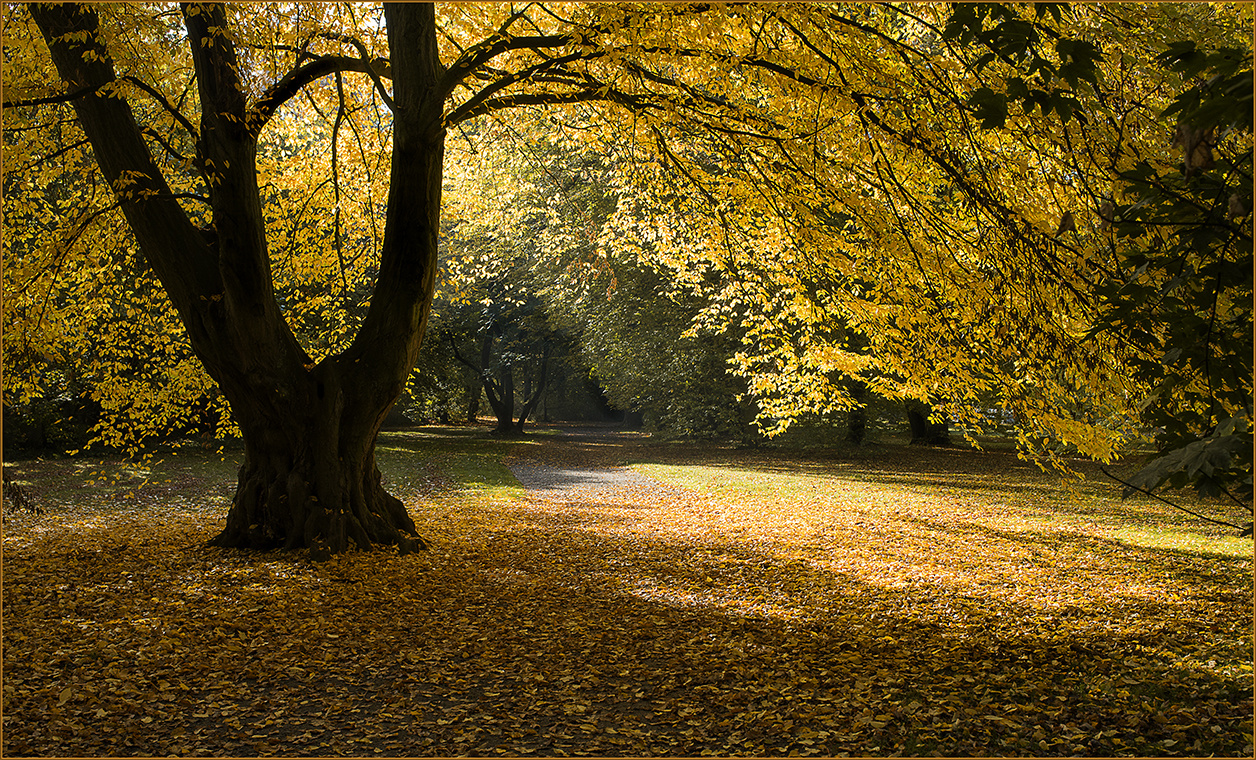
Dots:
(310, 477)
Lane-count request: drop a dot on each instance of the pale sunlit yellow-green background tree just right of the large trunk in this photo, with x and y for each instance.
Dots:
(533, 241)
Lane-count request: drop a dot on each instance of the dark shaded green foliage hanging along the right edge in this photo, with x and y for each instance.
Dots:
(1188, 302)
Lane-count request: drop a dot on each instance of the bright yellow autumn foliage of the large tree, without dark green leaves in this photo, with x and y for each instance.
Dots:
(811, 171)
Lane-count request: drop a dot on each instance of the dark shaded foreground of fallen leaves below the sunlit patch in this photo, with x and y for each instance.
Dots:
(555, 639)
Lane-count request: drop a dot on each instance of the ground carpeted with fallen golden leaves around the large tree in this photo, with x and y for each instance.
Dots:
(705, 602)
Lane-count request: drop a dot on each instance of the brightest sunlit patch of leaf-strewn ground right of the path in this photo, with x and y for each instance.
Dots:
(998, 550)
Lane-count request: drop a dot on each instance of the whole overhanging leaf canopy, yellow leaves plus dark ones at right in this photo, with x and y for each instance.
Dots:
(914, 199)
